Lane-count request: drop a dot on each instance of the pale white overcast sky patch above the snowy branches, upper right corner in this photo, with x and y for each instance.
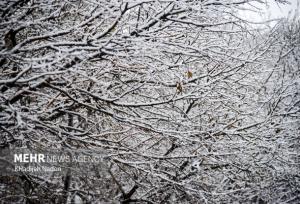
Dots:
(272, 11)
